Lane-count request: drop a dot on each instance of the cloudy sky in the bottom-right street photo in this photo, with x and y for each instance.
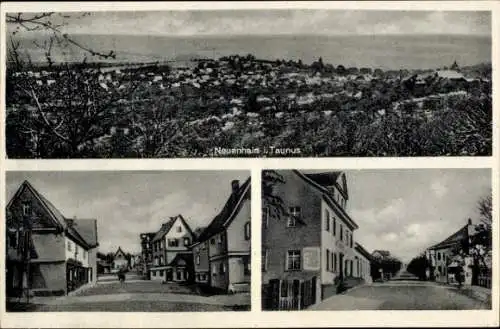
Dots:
(406, 211)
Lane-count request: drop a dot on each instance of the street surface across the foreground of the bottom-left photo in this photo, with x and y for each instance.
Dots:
(145, 296)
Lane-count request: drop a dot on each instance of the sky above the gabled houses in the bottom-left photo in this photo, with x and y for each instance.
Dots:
(126, 204)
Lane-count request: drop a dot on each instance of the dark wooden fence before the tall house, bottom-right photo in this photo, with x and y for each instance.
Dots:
(288, 295)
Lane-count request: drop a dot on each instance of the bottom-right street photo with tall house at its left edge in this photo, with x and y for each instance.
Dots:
(385, 239)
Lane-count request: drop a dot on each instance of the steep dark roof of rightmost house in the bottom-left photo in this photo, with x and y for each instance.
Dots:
(217, 224)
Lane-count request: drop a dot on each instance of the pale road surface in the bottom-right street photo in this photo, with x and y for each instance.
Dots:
(401, 295)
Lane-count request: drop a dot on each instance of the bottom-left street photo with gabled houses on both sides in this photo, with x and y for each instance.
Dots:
(131, 241)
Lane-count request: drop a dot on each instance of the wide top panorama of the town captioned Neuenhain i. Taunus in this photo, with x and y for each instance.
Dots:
(248, 83)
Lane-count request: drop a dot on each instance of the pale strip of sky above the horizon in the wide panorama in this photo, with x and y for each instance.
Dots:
(271, 22)
